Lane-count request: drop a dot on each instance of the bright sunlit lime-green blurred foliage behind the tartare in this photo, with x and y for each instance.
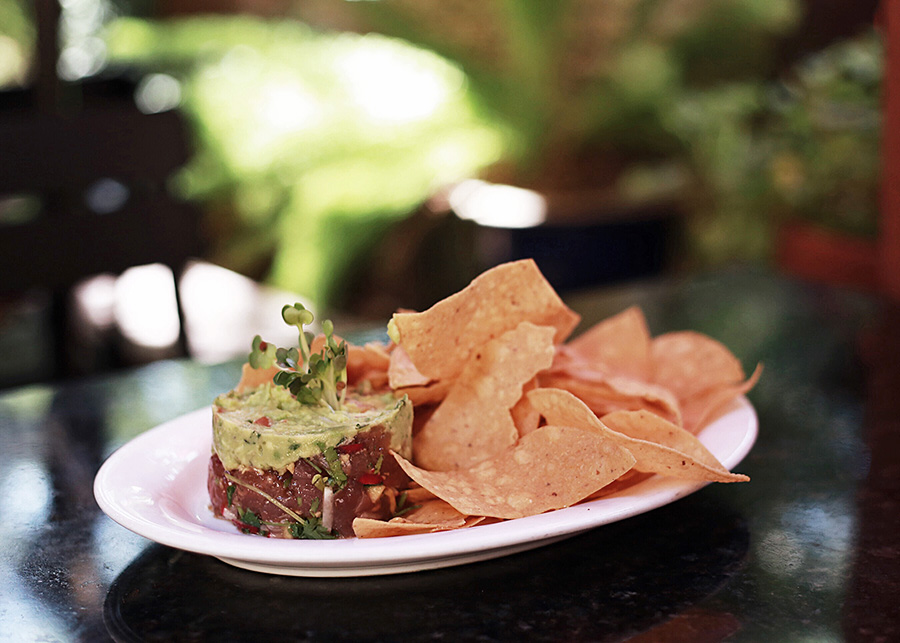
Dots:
(309, 144)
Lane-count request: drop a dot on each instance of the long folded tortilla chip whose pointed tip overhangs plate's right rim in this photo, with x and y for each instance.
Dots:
(657, 445)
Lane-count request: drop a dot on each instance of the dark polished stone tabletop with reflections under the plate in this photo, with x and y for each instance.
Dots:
(809, 550)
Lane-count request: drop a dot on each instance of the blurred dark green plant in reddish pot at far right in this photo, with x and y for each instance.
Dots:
(825, 136)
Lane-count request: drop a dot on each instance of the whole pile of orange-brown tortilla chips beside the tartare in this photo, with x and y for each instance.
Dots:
(514, 418)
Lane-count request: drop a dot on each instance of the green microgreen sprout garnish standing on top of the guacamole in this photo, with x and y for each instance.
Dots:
(313, 378)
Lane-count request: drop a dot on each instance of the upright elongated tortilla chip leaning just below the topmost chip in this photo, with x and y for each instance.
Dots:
(474, 421)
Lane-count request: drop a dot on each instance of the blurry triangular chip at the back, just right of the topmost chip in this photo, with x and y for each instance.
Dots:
(619, 344)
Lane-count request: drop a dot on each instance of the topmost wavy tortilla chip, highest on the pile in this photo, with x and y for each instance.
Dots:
(441, 340)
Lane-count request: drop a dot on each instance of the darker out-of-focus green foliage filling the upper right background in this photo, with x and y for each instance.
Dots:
(679, 99)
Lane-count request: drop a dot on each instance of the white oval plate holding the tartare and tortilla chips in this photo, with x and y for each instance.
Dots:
(155, 485)
